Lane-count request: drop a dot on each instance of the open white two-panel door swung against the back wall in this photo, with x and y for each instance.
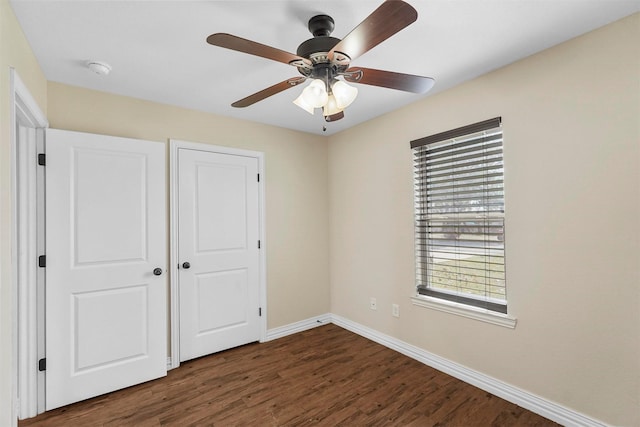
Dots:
(106, 325)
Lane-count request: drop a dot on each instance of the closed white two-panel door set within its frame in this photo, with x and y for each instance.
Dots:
(218, 232)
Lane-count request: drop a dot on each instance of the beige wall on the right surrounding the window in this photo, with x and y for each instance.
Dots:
(572, 168)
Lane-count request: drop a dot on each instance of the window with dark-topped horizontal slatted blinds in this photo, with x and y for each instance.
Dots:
(459, 216)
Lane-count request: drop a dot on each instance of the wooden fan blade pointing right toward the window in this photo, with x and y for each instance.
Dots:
(389, 79)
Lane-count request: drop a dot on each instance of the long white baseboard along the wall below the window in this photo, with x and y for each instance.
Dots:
(537, 404)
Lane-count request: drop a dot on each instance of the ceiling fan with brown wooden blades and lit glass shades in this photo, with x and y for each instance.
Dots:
(326, 61)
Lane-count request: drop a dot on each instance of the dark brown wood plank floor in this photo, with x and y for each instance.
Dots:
(325, 376)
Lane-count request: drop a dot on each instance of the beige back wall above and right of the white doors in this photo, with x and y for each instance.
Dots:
(296, 183)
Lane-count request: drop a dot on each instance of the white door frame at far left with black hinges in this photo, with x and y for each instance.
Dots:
(26, 240)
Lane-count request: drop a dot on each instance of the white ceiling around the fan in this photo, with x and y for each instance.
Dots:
(158, 51)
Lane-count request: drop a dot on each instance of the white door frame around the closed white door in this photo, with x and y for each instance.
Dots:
(174, 146)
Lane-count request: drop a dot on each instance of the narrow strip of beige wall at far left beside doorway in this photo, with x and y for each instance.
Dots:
(14, 52)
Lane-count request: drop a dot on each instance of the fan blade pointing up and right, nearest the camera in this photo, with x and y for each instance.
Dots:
(391, 17)
